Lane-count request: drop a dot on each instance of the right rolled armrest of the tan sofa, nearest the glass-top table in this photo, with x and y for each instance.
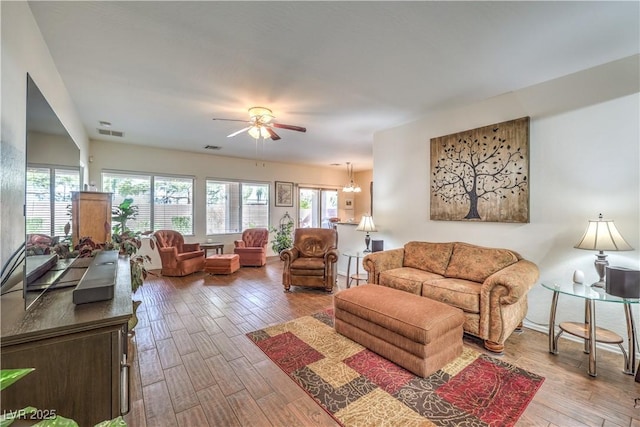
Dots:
(516, 280)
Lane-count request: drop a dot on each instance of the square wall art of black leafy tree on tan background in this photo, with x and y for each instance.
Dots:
(482, 174)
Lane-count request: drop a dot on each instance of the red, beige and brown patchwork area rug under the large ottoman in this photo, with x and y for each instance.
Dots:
(359, 388)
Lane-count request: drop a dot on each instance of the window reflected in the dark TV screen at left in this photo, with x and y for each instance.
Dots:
(48, 198)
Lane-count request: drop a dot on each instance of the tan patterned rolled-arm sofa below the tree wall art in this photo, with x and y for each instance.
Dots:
(490, 285)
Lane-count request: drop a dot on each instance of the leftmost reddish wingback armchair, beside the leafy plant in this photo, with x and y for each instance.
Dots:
(177, 257)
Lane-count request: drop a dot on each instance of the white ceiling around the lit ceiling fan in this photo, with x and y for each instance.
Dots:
(159, 71)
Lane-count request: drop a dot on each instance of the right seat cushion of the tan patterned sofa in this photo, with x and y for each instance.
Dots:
(460, 293)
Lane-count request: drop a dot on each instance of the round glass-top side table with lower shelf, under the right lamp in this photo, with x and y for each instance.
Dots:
(589, 329)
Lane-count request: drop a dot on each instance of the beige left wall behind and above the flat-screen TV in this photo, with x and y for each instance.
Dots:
(23, 51)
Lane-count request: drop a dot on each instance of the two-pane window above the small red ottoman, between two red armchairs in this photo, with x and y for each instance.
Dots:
(235, 206)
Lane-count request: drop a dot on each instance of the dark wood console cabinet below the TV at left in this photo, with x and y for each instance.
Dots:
(79, 352)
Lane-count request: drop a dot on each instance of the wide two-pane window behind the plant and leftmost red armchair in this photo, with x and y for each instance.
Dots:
(164, 202)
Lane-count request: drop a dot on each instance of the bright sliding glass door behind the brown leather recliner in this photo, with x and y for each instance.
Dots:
(316, 207)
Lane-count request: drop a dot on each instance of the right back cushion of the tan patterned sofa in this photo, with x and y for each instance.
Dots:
(476, 263)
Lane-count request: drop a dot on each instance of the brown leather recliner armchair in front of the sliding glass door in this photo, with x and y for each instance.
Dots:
(312, 260)
